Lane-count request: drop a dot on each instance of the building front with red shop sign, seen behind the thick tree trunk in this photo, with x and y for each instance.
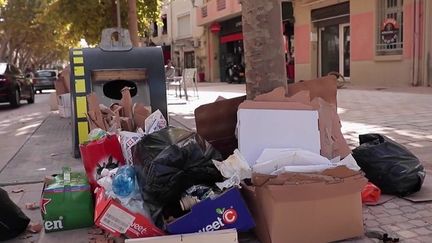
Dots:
(222, 22)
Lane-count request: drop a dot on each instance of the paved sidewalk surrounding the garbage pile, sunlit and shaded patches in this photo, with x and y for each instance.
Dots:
(404, 116)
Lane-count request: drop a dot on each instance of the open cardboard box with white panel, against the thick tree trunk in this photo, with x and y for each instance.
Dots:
(273, 120)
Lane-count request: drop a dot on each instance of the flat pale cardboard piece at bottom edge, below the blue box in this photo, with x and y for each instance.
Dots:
(221, 236)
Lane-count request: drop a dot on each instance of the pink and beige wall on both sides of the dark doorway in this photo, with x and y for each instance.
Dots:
(366, 67)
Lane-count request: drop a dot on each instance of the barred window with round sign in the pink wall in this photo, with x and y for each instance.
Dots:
(390, 27)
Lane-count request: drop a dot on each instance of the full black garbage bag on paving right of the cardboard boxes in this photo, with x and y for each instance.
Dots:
(389, 165)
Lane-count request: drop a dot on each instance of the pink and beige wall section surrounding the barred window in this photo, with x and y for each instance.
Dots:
(367, 68)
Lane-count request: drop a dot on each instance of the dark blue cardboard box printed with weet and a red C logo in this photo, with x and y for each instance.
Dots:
(227, 211)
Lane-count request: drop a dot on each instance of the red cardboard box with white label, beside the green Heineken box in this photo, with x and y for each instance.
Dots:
(113, 217)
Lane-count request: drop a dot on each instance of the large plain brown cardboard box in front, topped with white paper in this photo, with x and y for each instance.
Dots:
(299, 207)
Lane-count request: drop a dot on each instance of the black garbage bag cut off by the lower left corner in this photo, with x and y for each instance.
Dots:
(12, 220)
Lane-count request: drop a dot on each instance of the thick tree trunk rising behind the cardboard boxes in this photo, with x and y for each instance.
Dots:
(263, 46)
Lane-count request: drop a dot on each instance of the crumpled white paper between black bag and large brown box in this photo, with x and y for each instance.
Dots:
(235, 168)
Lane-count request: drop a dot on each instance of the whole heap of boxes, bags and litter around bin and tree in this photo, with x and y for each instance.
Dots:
(286, 172)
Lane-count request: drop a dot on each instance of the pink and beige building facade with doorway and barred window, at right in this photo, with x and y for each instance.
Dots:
(371, 42)
